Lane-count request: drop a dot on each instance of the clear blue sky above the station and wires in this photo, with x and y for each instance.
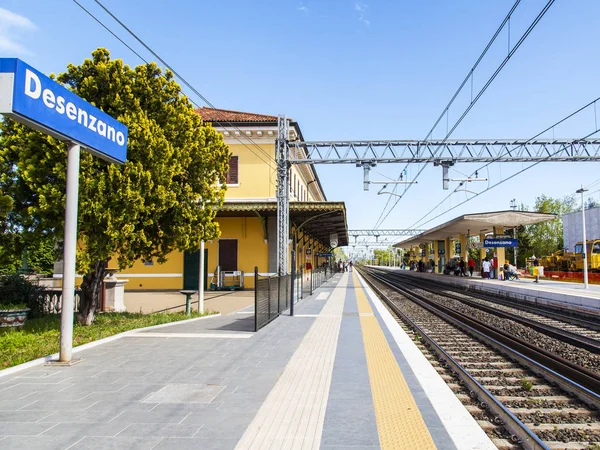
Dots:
(357, 70)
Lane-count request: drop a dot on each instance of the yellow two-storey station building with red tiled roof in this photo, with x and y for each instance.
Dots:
(248, 218)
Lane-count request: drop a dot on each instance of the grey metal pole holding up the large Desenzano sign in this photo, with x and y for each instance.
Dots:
(69, 254)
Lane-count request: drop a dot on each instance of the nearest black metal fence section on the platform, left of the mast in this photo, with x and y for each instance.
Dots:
(271, 297)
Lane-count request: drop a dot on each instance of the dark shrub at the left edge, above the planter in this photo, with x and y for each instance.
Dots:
(17, 291)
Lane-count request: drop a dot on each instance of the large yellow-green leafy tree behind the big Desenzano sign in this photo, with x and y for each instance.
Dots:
(164, 198)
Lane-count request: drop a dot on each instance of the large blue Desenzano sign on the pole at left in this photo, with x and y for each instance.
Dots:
(32, 98)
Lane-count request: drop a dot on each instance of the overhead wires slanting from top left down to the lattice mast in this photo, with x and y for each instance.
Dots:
(270, 159)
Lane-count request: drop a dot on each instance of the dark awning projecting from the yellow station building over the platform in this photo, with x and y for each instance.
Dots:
(319, 219)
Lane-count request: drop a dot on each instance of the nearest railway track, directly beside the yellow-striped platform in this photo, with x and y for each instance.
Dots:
(521, 395)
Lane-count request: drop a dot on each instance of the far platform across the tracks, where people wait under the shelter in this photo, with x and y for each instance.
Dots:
(557, 293)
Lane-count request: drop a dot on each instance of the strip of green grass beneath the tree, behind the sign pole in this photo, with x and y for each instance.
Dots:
(40, 337)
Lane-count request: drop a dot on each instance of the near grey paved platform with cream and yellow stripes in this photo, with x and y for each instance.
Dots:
(340, 374)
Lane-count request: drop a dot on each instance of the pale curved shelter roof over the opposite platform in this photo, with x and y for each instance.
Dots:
(474, 224)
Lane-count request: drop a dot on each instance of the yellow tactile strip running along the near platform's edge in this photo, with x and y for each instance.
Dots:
(399, 421)
